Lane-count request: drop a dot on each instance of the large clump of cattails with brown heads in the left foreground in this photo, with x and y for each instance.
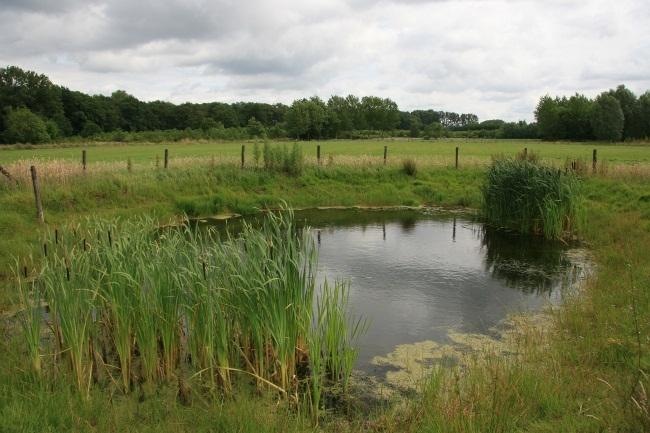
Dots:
(130, 304)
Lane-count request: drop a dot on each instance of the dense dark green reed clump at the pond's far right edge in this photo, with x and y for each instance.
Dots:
(531, 197)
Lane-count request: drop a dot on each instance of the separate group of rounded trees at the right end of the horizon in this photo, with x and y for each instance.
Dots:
(614, 115)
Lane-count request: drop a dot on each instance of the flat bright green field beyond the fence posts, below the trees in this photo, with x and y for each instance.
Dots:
(474, 150)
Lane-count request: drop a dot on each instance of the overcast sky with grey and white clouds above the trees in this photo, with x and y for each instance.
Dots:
(490, 57)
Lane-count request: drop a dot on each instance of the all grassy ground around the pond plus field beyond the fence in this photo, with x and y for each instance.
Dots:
(587, 373)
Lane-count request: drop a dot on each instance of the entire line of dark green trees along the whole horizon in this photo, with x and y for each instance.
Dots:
(35, 110)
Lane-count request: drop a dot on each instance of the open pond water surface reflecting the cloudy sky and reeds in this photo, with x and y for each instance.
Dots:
(419, 275)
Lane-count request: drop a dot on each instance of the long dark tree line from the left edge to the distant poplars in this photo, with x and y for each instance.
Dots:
(34, 110)
